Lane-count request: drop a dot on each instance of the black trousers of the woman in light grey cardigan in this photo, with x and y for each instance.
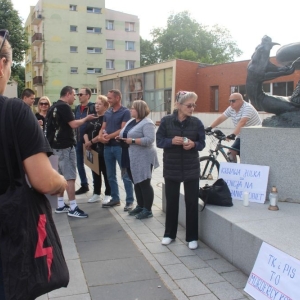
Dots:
(143, 192)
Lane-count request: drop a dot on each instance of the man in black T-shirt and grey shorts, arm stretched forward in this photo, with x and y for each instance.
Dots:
(61, 138)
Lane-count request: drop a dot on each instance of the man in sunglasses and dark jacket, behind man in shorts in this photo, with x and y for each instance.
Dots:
(81, 111)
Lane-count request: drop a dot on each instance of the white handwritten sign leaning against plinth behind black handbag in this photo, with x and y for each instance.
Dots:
(244, 177)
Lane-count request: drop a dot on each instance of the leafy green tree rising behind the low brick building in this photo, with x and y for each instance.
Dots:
(184, 38)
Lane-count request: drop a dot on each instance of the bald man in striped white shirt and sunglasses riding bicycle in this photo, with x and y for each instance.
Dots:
(243, 114)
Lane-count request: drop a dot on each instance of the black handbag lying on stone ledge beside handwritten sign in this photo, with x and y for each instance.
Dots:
(216, 194)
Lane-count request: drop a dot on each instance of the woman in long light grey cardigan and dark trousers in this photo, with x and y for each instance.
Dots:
(139, 133)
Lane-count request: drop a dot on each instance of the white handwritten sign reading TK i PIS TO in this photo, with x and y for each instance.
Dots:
(275, 275)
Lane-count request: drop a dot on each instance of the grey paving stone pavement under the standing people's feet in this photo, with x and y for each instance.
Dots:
(112, 255)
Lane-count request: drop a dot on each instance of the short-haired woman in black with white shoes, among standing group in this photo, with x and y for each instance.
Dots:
(91, 142)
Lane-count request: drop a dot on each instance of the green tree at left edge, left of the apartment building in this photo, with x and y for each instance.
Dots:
(10, 20)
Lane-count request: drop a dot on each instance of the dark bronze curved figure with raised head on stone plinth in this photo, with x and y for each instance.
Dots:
(260, 69)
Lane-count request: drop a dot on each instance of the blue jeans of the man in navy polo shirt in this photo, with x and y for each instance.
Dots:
(112, 155)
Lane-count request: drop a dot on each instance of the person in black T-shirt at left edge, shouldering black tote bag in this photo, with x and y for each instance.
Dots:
(33, 146)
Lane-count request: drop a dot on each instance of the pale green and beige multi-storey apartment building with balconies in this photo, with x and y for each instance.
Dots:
(73, 42)
